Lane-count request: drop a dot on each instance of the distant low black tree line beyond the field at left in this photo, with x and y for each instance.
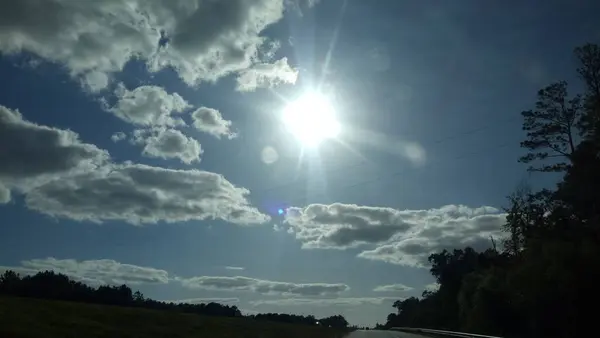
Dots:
(57, 286)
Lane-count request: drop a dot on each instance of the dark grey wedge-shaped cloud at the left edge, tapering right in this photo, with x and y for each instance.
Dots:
(32, 154)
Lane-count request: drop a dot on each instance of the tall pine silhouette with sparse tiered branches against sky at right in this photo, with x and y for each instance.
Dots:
(552, 128)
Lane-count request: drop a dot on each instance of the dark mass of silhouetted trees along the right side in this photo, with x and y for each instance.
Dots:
(544, 280)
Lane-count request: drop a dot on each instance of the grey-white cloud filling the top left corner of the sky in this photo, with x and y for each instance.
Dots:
(88, 38)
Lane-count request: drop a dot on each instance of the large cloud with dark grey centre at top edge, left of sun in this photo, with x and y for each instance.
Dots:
(201, 48)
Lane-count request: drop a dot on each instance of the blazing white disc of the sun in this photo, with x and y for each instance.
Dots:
(311, 118)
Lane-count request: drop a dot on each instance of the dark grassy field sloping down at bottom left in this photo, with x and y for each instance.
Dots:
(25, 317)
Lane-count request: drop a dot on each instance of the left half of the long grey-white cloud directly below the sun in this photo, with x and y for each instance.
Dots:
(340, 226)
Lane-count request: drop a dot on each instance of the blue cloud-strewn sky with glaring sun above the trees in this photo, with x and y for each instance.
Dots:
(149, 142)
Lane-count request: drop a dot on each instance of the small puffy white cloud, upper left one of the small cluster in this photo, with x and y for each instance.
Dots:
(149, 106)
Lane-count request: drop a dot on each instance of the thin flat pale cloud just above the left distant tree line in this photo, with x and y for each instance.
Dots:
(94, 272)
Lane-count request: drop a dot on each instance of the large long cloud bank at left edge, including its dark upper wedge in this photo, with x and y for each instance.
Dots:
(63, 177)
